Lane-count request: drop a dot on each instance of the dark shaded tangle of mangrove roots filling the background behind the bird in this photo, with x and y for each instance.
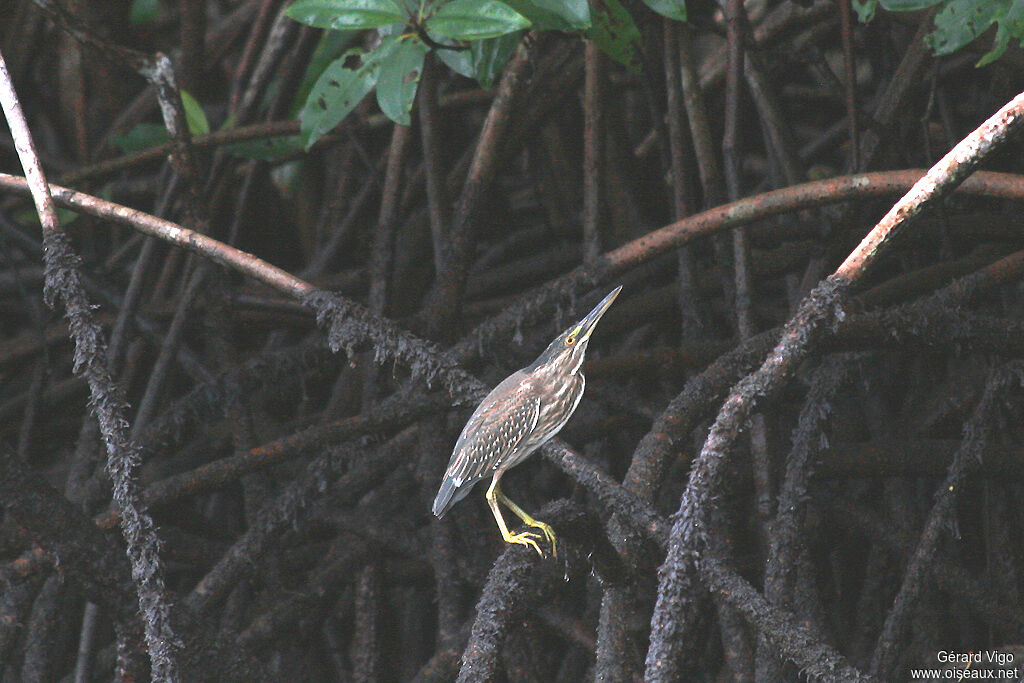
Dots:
(292, 486)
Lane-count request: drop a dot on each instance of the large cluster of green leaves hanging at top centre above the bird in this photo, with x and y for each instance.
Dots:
(475, 38)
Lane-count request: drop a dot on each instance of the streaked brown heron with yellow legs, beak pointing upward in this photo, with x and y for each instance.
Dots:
(520, 415)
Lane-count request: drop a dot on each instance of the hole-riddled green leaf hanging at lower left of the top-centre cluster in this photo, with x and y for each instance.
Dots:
(343, 86)
